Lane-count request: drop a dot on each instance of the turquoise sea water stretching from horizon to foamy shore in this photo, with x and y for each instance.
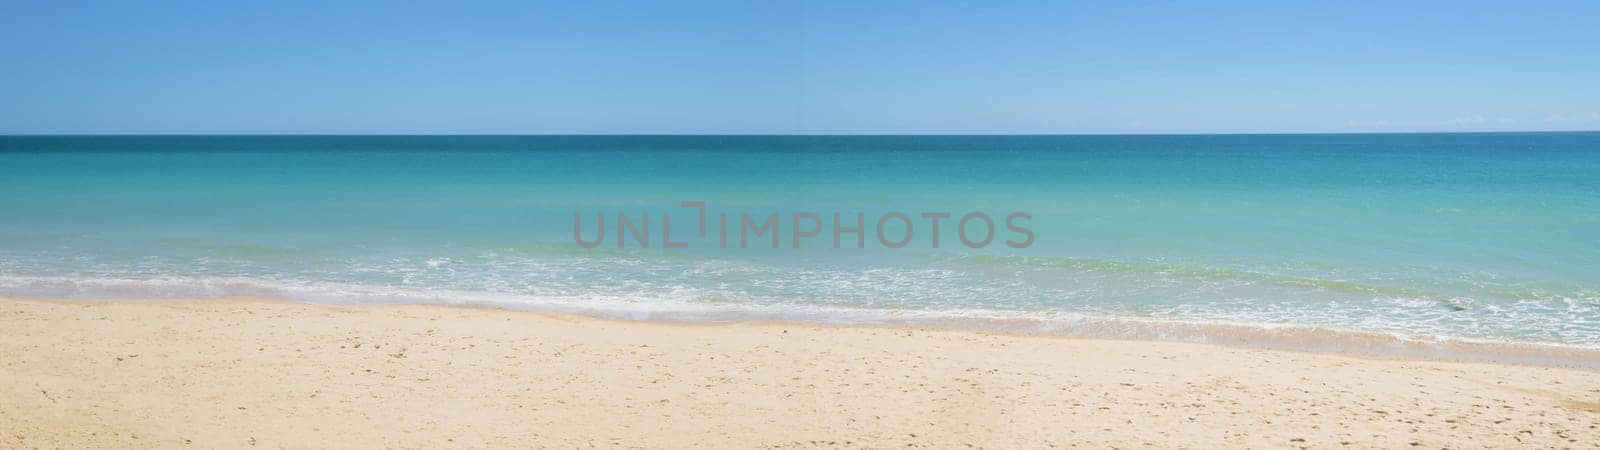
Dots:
(1311, 241)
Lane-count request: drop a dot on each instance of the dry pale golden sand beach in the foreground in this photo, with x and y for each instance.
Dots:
(239, 374)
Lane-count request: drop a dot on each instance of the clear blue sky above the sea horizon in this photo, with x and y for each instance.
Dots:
(798, 66)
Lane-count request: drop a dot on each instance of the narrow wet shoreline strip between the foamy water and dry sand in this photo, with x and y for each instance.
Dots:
(1271, 337)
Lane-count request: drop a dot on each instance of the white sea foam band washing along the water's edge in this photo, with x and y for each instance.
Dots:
(689, 305)
